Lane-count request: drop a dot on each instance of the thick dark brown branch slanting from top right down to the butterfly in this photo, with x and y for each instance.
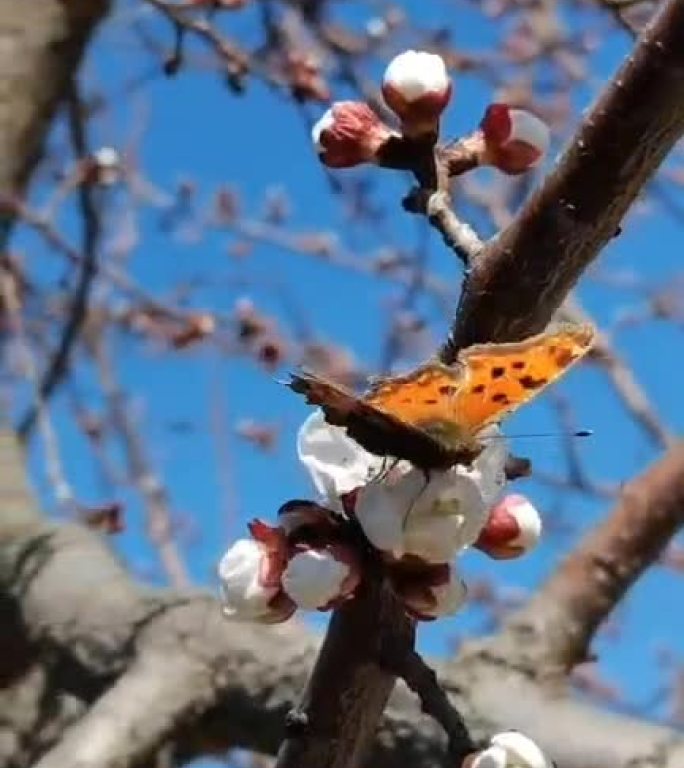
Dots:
(562, 228)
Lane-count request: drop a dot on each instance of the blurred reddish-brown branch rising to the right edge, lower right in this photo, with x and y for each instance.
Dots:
(555, 628)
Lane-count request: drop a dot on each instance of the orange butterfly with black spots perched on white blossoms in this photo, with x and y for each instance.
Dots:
(431, 416)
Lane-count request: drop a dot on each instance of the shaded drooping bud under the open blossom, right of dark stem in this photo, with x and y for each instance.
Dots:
(427, 591)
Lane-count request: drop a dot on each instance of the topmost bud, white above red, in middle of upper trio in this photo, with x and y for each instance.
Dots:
(417, 88)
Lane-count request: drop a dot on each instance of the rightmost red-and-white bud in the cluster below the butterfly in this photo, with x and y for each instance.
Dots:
(512, 529)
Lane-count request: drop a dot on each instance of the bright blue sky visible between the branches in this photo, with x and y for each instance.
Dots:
(196, 129)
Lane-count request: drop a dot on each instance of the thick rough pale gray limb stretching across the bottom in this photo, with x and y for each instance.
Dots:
(132, 670)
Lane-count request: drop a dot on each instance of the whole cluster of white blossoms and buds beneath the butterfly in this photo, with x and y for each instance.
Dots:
(410, 524)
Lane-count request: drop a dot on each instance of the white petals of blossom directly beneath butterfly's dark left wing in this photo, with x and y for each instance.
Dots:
(337, 464)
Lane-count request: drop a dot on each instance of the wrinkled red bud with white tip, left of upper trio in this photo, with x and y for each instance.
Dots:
(349, 134)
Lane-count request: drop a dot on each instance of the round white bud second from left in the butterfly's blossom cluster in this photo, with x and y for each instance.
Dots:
(321, 578)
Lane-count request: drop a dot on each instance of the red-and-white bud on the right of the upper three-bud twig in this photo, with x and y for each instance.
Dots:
(515, 140)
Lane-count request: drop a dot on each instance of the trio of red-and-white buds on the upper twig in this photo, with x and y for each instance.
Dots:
(416, 87)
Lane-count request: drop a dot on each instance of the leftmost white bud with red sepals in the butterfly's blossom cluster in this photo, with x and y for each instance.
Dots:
(250, 573)
